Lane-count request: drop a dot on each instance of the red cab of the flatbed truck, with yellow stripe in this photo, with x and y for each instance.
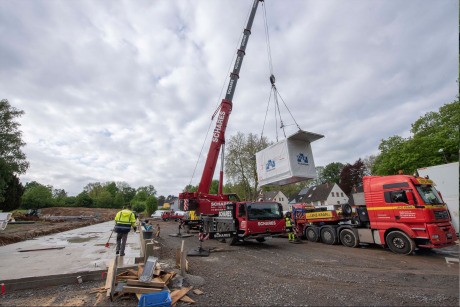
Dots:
(407, 210)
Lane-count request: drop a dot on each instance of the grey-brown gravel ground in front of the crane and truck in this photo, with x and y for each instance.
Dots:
(279, 273)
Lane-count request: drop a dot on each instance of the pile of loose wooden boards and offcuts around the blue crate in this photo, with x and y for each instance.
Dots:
(149, 278)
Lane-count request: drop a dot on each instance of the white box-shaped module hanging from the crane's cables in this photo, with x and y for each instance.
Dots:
(288, 161)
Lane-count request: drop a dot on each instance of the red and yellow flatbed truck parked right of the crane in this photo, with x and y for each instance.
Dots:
(401, 212)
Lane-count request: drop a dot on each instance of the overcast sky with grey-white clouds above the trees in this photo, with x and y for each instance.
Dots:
(125, 90)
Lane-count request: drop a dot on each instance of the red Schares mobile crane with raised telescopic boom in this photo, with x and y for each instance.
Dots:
(224, 215)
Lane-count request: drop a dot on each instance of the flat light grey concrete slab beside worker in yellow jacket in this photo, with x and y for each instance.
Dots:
(84, 251)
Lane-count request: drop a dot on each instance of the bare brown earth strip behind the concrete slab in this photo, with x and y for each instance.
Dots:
(20, 232)
